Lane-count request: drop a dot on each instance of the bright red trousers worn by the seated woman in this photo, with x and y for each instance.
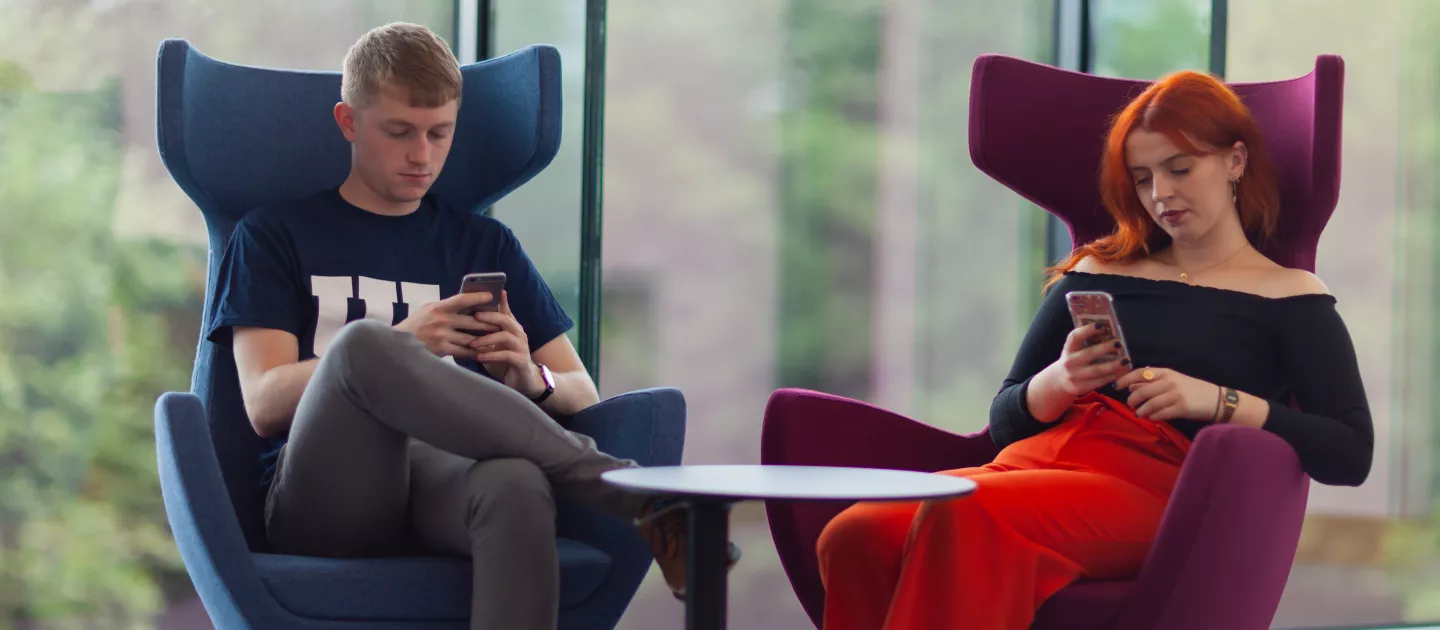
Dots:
(1081, 501)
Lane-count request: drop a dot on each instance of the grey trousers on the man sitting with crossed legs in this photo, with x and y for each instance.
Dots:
(395, 451)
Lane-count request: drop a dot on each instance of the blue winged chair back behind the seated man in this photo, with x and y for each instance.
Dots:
(240, 137)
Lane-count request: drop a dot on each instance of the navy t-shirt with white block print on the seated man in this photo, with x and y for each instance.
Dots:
(315, 265)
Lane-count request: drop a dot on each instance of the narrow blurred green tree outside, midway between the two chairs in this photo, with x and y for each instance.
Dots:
(829, 143)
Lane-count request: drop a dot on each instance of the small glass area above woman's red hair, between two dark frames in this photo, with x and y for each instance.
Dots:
(1147, 40)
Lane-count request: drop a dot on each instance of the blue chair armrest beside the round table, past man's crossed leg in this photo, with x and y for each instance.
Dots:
(650, 428)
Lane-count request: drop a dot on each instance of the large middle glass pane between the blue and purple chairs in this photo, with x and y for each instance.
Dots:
(790, 202)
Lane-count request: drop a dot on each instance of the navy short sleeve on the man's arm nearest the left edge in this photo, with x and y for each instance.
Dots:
(258, 284)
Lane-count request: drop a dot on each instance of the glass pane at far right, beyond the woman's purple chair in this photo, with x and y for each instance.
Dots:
(1370, 556)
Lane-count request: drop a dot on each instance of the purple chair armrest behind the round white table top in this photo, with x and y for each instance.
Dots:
(813, 429)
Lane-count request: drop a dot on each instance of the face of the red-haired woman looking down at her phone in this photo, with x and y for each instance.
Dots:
(1186, 195)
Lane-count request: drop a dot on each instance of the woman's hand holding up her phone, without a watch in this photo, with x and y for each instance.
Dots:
(1076, 373)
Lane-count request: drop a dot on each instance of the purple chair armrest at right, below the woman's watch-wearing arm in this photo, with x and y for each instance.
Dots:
(1229, 536)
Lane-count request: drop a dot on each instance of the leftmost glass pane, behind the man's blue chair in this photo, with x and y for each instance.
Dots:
(103, 271)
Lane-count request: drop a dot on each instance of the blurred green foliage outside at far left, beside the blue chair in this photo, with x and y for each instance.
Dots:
(84, 346)
